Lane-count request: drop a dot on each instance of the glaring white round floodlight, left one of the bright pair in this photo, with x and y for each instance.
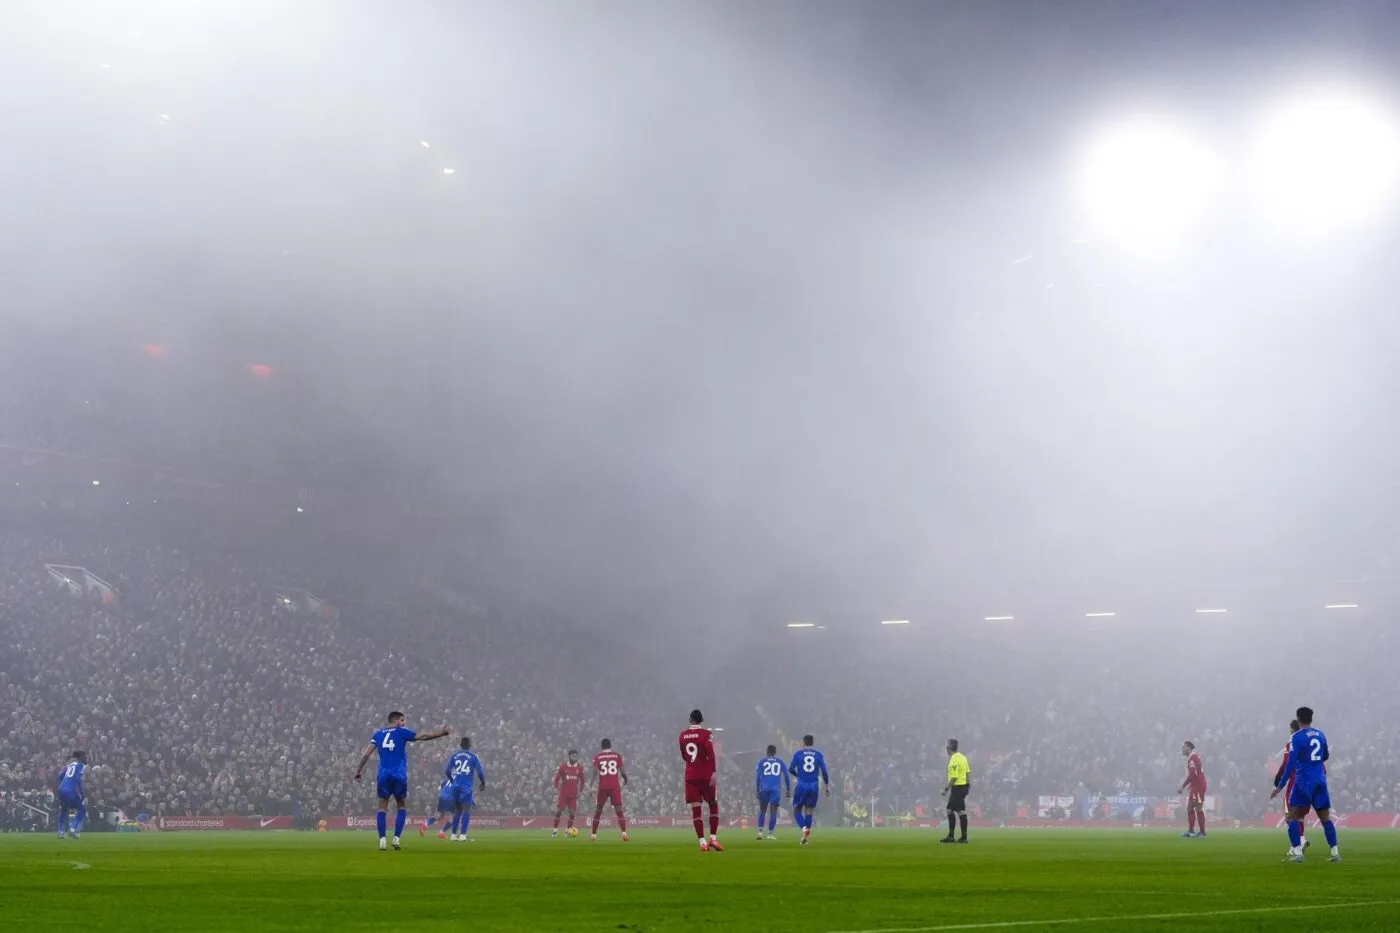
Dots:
(1147, 181)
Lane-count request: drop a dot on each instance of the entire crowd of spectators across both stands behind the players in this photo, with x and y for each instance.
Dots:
(198, 690)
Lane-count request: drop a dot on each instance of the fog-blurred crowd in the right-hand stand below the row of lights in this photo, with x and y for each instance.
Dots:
(1084, 718)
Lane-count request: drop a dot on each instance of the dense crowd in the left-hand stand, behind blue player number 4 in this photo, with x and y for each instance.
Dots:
(194, 696)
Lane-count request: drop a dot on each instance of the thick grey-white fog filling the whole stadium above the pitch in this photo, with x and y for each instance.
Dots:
(685, 347)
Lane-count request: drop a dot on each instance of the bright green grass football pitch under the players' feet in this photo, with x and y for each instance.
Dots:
(846, 880)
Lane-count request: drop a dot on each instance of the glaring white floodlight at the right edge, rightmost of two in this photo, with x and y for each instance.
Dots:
(1324, 160)
